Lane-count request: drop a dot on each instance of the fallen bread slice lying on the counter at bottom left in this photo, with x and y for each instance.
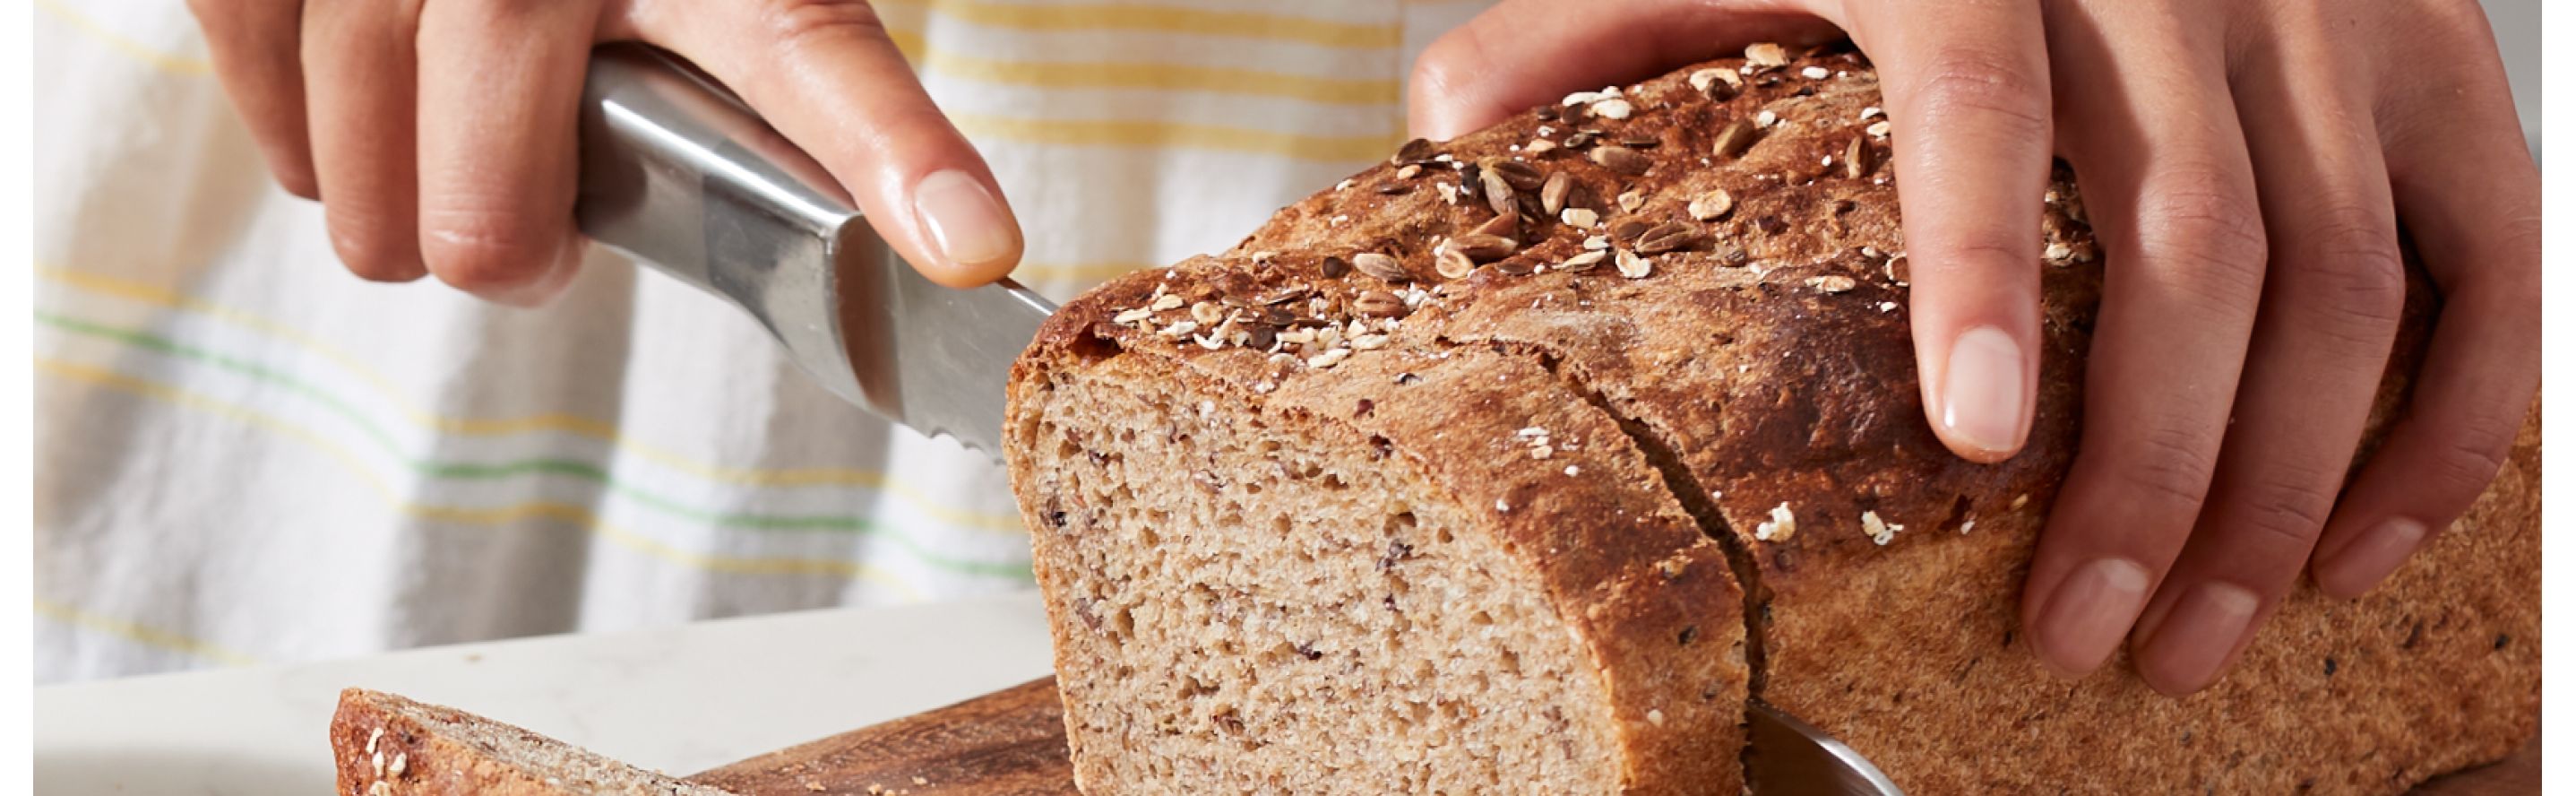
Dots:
(390, 746)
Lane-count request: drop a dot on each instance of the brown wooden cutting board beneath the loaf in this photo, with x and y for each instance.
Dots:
(1011, 743)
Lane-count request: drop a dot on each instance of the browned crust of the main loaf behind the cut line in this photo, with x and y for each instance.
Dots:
(1779, 393)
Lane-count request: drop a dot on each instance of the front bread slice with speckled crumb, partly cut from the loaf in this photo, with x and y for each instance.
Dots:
(1374, 586)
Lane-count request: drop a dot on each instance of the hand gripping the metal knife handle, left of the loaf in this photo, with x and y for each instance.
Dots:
(439, 135)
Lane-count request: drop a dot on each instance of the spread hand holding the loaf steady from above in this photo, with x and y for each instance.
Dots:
(2245, 166)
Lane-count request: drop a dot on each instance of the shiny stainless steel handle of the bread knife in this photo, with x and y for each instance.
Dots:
(684, 179)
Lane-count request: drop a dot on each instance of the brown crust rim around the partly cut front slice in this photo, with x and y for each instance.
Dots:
(1622, 563)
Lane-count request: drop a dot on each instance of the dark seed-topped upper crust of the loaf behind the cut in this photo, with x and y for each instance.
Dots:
(1717, 251)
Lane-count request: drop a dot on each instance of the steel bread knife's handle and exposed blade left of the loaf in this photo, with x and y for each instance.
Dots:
(684, 179)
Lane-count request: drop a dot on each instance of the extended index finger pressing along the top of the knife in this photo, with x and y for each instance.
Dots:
(833, 84)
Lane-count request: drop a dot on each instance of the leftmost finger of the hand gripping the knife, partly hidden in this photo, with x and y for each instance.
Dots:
(254, 48)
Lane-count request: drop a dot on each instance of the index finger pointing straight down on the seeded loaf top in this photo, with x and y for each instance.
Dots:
(1967, 86)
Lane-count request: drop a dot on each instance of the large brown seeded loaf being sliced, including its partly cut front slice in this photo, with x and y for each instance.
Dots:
(1526, 460)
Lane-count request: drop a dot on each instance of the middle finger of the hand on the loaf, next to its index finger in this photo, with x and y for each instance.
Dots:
(2170, 192)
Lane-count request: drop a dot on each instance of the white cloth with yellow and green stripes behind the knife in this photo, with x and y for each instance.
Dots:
(246, 455)
